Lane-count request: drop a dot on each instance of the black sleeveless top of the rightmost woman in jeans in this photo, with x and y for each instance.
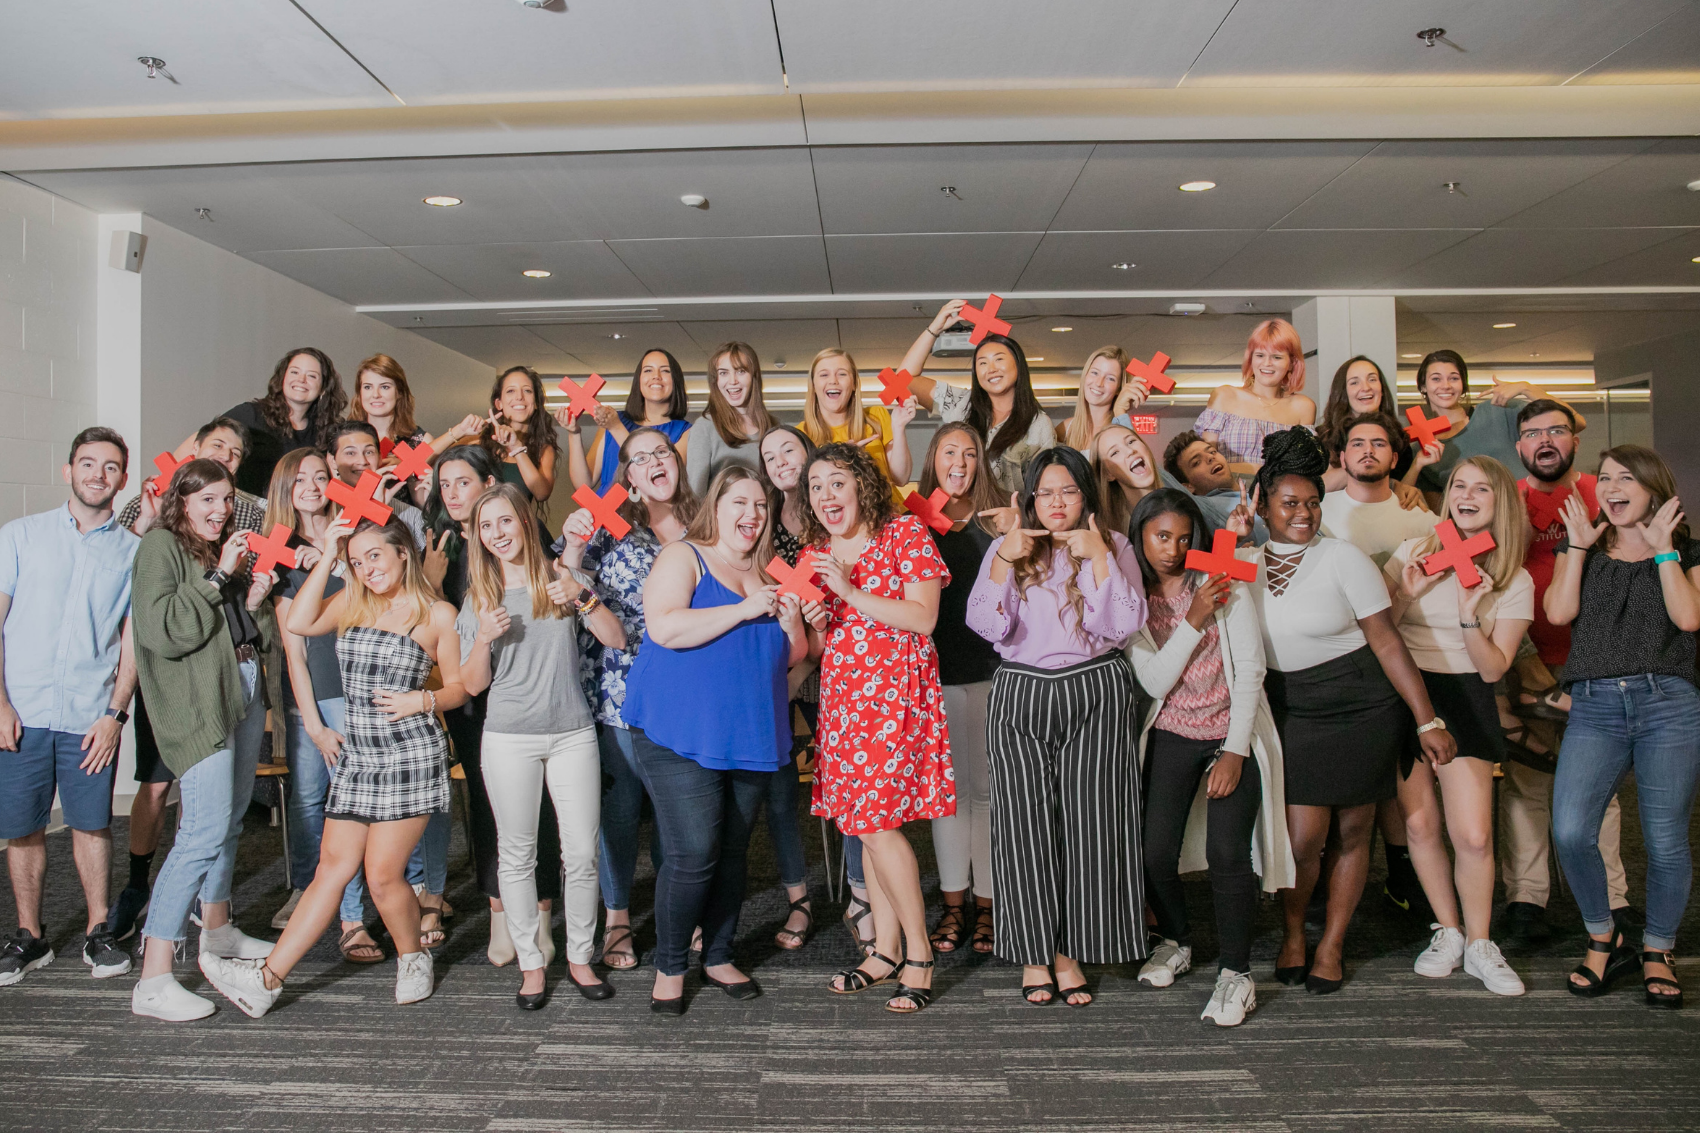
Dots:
(1623, 627)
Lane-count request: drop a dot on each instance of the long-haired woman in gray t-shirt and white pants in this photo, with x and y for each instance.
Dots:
(519, 639)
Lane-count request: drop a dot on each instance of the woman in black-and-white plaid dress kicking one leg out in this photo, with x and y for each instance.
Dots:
(394, 770)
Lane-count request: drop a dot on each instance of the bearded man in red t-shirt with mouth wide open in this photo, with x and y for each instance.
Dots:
(1546, 443)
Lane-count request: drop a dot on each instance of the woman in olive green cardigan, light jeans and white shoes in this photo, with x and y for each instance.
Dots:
(201, 625)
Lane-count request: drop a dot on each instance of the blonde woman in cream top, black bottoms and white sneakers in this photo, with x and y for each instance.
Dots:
(1463, 639)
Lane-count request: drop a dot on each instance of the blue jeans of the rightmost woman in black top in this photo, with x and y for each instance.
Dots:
(1648, 724)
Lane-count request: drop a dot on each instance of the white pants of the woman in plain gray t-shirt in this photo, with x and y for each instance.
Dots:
(516, 771)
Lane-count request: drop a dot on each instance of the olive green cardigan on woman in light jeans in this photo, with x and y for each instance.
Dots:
(184, 654)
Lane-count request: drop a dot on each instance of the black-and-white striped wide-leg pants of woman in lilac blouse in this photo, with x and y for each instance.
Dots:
(1065, 814)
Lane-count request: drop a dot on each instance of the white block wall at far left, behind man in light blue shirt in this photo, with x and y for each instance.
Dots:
(47, 343)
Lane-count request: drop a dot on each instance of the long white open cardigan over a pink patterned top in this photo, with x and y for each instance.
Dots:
(1249, 720)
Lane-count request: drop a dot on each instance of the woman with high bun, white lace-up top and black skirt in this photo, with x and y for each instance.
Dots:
(1347, 698)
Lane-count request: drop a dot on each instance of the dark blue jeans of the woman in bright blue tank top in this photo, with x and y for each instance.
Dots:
(706, 819)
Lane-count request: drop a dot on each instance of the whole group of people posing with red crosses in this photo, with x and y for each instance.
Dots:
(1043, 669)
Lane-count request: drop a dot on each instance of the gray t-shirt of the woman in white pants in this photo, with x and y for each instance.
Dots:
(535, 671)
